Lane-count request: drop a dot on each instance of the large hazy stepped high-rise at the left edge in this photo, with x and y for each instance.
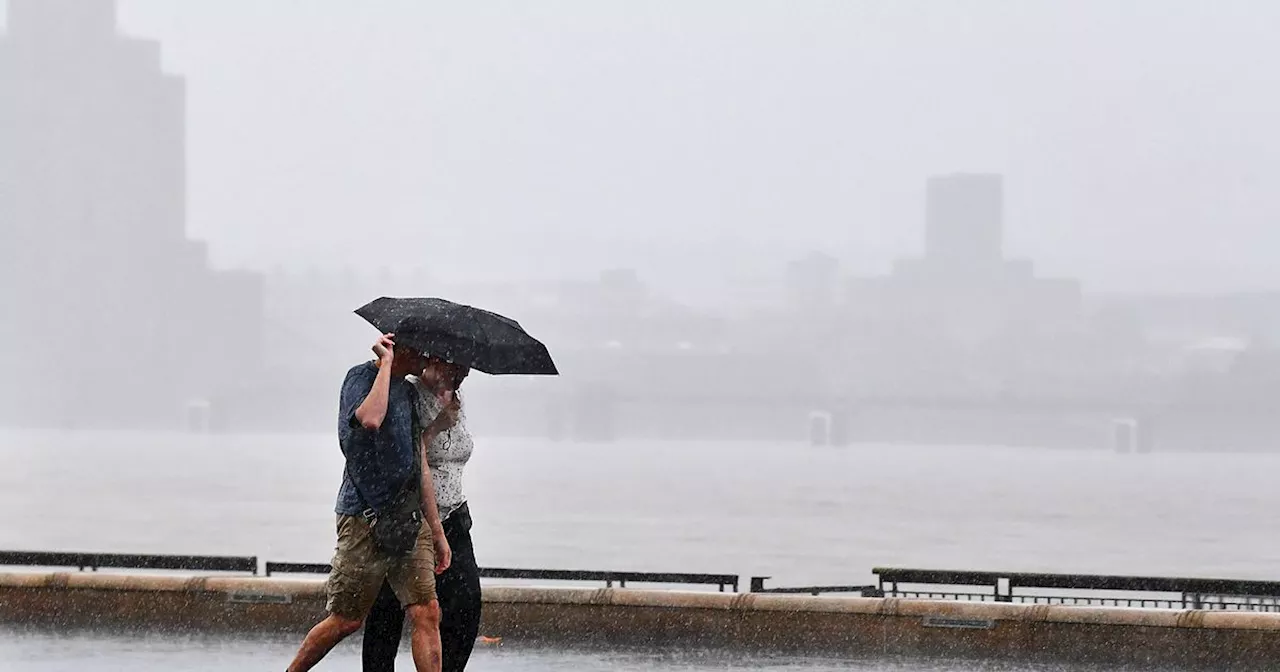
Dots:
(112, 316)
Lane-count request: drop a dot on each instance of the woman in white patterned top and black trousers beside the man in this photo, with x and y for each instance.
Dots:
(449, 446)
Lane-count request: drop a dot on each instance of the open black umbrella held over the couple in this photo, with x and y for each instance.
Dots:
(461, 335)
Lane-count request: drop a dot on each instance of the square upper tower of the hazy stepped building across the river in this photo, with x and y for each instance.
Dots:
(966, 221)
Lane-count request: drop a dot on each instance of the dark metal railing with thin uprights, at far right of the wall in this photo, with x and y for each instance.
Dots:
(1146, 592)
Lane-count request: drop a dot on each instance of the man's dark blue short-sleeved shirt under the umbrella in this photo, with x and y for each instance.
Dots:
(378, 463)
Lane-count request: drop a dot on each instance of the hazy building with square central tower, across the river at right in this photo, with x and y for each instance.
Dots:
(963, 314)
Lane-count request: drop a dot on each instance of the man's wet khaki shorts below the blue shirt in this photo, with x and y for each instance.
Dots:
(360, 568)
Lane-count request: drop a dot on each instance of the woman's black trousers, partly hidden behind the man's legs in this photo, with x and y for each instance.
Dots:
(459, 592)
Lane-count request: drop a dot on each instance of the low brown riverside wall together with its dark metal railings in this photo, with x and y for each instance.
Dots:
(1027, 618)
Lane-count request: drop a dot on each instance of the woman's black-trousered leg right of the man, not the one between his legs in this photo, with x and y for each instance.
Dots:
(459, 591)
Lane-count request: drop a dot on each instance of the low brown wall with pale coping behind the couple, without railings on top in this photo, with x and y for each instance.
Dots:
(749, 623)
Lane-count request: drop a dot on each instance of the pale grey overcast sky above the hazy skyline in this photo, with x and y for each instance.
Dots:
(501, 140)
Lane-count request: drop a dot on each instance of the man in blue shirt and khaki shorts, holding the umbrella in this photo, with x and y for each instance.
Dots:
(377, 435)
